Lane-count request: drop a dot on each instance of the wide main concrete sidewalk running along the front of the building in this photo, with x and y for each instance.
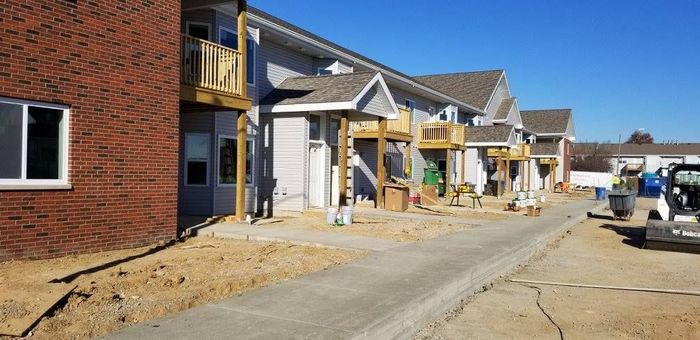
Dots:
(389, 294)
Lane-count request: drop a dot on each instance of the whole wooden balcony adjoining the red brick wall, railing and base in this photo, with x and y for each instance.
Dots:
(210, 74)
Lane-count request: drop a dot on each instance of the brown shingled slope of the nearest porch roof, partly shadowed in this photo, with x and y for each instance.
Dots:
(319, 89)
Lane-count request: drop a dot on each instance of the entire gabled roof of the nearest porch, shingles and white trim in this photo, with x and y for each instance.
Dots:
(329, 92)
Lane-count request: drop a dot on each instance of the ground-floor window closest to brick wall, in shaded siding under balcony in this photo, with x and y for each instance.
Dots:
(197, 159)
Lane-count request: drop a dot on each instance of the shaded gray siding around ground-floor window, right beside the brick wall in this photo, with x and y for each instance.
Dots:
(196, 200)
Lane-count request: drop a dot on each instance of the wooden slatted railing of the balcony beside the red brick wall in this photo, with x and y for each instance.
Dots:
(210, 66)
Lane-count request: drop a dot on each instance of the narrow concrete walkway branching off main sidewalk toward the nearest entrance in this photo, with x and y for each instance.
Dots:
(298, 236)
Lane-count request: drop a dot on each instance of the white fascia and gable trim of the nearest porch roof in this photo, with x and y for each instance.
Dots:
(351, 105)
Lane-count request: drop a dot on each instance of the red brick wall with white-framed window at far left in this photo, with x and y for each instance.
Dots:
(115, 63)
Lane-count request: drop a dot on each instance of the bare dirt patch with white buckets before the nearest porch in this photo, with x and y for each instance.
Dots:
(401, 230)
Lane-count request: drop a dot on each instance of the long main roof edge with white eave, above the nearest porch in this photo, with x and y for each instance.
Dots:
(259, 16)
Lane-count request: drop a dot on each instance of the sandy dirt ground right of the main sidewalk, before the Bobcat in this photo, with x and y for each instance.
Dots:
(599, 251)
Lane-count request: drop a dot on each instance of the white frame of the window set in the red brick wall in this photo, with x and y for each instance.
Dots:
(64, 148)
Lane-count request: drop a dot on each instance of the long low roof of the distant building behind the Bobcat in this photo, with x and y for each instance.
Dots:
(684, 149)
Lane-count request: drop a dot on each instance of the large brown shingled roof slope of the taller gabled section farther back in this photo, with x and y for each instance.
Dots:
(474, 88)
